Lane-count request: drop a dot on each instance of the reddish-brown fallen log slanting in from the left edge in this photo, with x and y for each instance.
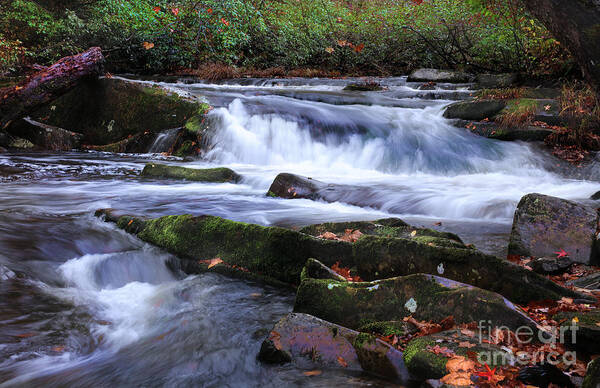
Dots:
(48, 84)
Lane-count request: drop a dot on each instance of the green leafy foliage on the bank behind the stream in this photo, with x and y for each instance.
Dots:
(381, 36)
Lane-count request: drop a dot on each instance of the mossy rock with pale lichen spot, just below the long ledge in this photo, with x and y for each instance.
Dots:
(355, 304)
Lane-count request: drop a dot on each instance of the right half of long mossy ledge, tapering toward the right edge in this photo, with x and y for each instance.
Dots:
(379, 257)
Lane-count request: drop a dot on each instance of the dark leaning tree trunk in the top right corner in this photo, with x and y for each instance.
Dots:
(576, 24)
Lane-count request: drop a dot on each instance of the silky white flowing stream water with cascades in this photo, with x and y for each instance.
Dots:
(84, 304)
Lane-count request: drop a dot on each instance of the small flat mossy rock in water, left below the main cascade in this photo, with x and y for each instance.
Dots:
(216, 175)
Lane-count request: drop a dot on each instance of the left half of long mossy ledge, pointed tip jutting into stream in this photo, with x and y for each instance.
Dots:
(273, 255)
